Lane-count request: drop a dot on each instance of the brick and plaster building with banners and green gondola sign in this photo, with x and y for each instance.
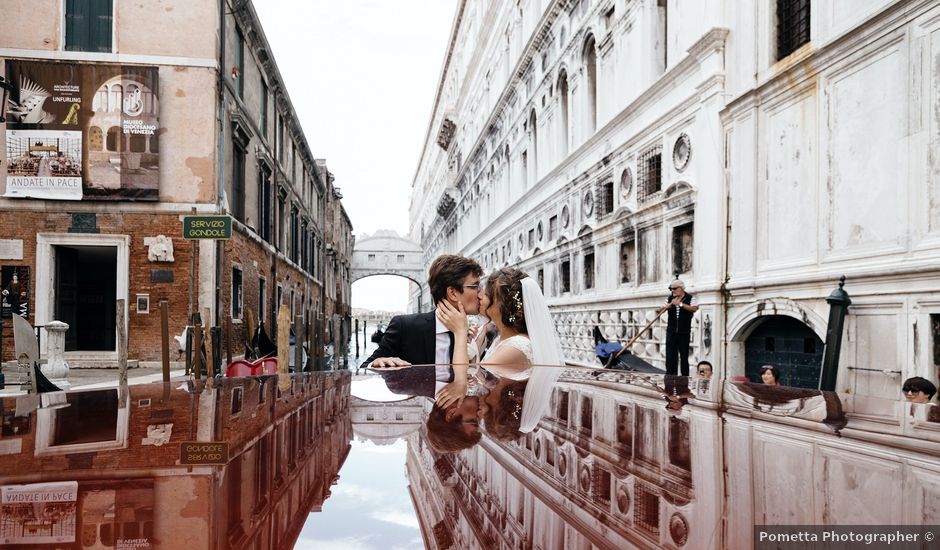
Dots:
(193, 119)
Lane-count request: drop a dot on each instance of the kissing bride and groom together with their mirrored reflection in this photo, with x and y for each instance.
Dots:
(519, 360)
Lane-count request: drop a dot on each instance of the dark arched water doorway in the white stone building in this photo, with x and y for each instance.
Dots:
(787, 344)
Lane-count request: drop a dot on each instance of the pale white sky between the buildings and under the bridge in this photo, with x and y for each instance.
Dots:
(362, 75)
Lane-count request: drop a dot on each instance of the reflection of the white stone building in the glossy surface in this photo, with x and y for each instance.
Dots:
(609, 467)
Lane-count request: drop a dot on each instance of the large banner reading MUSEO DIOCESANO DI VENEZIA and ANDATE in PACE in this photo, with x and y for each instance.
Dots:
(78, 131)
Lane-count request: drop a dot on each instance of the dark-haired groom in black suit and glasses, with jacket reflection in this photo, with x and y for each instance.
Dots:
(420, 338)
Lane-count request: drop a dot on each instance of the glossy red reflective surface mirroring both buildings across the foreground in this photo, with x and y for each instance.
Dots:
(326, 460)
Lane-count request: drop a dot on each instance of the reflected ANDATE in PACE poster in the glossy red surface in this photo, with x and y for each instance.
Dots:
(38, 513)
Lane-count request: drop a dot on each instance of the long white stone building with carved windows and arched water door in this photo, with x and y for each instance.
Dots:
(606, 146)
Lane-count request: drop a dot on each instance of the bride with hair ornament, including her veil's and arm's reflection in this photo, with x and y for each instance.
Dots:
(527, 347)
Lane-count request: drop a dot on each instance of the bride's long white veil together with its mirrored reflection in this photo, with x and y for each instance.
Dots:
(546, 350)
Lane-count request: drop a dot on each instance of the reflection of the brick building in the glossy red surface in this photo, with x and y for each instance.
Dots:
(285, 449)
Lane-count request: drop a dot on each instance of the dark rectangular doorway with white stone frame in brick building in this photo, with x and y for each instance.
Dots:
(85, 290)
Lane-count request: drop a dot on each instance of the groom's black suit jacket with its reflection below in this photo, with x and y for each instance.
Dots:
(412, 338)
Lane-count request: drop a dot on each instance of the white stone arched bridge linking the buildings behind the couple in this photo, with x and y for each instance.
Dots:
(387, 253)
